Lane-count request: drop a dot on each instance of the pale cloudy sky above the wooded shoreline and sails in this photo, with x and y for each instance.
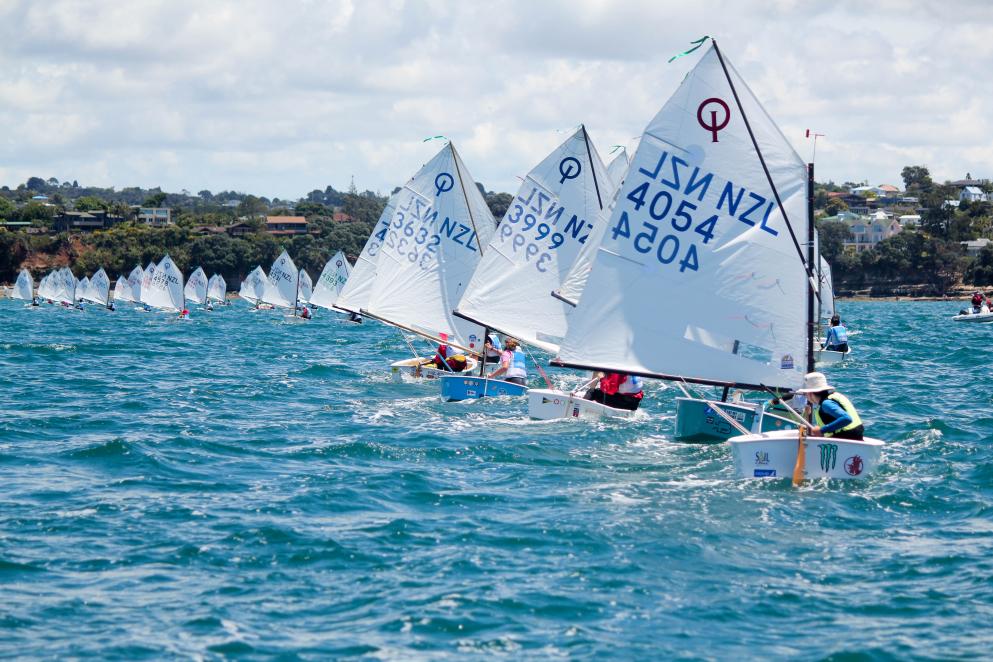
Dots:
(280, 98)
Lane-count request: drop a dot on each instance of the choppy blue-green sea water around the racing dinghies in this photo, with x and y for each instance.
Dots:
(243, 486)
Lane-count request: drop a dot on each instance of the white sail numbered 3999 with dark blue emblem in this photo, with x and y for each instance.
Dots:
(537, 242)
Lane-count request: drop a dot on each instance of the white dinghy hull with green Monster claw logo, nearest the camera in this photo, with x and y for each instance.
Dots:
(773, 455)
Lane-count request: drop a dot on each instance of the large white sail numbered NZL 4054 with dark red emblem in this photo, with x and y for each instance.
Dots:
(698, 275)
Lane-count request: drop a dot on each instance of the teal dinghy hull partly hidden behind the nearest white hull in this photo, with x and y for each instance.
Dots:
(697, 422)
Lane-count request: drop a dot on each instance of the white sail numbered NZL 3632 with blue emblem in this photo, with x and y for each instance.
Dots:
(433, 245)
